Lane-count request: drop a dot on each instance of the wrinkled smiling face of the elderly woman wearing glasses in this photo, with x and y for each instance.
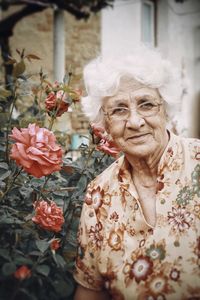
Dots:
(143, 131)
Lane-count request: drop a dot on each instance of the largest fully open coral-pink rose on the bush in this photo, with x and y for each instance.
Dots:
(36, 150)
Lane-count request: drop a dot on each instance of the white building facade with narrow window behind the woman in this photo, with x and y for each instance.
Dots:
(173, 27)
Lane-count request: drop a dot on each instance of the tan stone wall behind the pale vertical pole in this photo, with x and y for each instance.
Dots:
(35, 34)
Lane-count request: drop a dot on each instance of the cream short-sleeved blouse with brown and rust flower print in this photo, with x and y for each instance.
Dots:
(119, 251)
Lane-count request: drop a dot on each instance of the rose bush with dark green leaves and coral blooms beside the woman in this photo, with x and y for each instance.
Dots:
(37, 249)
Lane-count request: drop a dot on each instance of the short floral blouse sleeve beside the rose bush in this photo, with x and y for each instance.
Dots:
(90, 238)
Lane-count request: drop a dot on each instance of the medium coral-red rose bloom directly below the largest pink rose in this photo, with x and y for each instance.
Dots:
(48, 215)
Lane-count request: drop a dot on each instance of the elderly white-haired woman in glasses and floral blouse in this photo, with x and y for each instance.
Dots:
(139, 234)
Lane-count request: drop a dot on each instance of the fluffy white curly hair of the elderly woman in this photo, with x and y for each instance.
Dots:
(102, 79)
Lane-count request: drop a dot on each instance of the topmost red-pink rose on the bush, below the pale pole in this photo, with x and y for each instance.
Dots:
(56, 101)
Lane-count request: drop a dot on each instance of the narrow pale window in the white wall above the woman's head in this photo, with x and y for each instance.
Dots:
(148, 22)
